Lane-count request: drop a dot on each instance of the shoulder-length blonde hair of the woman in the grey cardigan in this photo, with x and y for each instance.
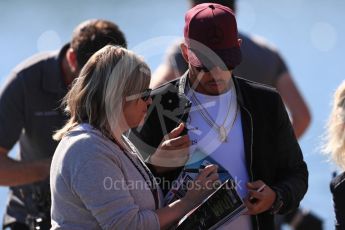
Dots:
(97, 95)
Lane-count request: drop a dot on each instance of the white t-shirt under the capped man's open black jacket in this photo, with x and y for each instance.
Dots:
(229, 154)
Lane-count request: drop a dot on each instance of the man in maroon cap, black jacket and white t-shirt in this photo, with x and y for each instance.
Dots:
(241, 125)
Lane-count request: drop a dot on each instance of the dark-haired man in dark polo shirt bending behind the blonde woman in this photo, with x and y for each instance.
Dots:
(29, 113)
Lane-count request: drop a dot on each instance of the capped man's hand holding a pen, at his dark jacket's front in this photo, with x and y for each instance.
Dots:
(259, 201)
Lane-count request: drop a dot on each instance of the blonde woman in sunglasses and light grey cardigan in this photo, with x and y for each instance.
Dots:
(98, 180)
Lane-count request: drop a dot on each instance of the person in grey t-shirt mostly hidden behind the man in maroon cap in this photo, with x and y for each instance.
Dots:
(261, 63)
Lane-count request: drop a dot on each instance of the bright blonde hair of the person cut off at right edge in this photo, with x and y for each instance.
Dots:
(335, 137)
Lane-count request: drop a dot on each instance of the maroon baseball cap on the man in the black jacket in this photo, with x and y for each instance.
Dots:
(211, 35)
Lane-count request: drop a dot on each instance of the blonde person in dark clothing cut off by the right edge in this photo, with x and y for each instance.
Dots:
(335, 146)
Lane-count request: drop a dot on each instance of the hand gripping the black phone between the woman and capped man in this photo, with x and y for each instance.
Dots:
(173, 151)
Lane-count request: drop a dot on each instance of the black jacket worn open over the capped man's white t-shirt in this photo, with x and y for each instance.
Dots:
(271, 149)
